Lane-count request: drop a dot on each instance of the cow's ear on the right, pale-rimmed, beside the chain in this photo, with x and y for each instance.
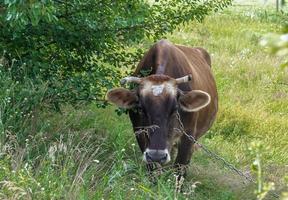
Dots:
(194, 100)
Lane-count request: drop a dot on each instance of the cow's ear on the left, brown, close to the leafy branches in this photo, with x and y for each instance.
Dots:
(122, 97)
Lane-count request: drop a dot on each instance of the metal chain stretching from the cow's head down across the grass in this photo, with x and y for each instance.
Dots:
(217, 157)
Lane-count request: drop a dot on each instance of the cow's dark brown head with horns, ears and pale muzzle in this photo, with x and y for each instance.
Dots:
(156, 101)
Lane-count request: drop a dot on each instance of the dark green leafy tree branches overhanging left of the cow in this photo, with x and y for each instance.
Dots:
(78, 47)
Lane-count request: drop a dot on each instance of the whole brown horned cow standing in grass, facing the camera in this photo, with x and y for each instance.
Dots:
(166, 93)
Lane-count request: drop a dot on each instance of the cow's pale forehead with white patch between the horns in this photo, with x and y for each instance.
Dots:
(158, 89)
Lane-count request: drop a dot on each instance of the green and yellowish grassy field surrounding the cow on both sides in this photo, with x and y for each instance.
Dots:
(94, 155)
